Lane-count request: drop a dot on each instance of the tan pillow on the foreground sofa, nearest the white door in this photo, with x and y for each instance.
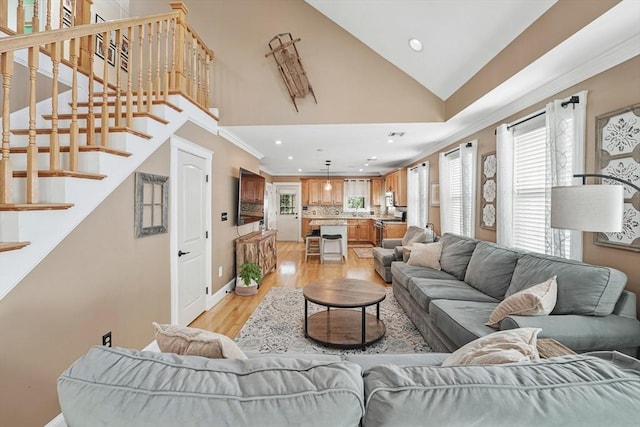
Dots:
(196, 342)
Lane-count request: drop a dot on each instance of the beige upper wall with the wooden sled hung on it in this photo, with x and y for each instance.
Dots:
(352, 83)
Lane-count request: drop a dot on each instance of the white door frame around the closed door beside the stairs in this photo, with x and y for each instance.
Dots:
(181, 144)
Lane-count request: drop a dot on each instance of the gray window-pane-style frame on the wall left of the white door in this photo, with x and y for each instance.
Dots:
(151, 204)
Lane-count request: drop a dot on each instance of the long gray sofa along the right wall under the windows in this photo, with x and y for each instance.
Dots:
(450, 306)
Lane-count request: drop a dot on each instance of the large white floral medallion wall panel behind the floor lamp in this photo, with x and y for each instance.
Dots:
(618, 154)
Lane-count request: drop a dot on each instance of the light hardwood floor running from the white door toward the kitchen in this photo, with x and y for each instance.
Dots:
(229, 315)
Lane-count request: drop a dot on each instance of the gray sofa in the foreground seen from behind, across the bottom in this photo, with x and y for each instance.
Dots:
(120, 387)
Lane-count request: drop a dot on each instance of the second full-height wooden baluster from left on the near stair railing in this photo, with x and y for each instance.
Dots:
(32, 149)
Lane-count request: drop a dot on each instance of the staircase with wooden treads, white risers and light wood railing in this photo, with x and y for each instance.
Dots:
(57, 165)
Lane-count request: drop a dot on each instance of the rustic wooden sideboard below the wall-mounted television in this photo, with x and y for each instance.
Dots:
(259, 248)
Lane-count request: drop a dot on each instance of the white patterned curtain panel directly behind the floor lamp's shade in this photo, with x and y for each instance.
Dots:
(564, 157)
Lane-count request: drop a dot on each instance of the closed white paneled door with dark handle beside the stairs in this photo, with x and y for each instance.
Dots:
(191, 237)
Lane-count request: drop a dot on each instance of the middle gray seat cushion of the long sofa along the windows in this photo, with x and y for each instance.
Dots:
(426, 290)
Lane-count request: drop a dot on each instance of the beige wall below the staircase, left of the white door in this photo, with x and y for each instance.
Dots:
(100, 278)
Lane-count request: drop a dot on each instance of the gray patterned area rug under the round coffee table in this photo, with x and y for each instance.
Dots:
(277, 326)
